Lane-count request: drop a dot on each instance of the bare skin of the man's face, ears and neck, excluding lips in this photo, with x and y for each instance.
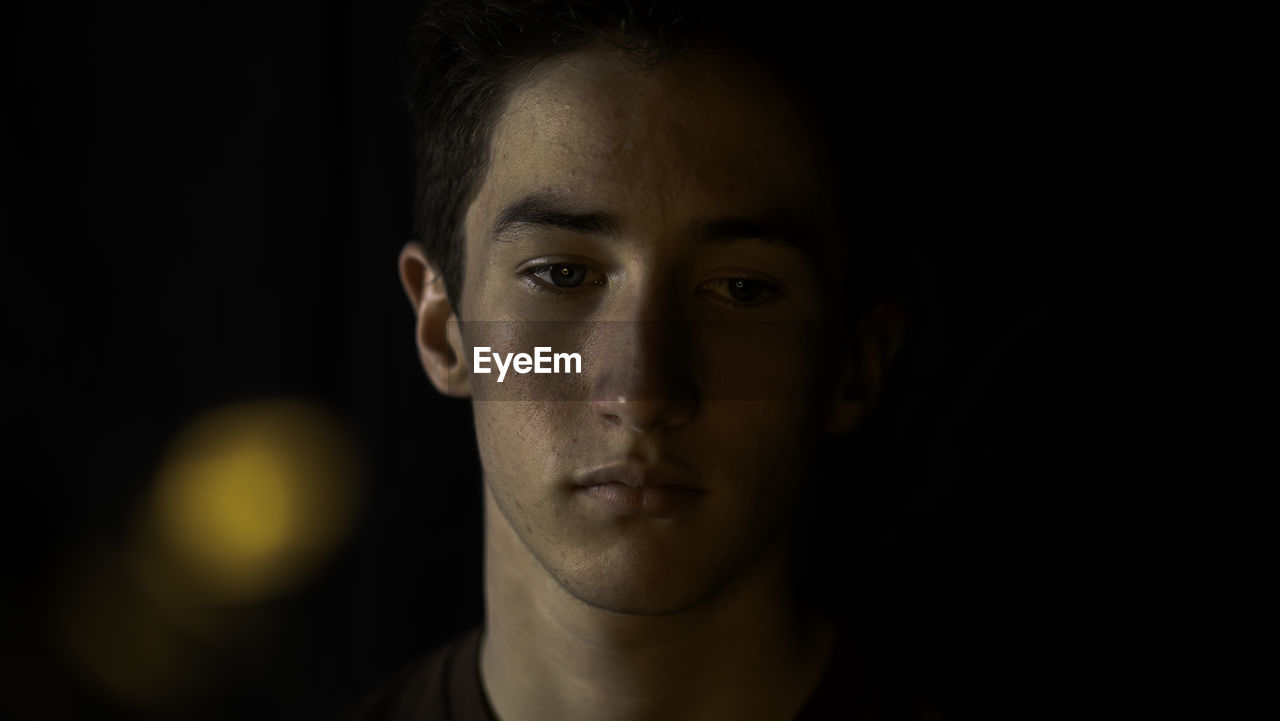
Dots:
(698, 168)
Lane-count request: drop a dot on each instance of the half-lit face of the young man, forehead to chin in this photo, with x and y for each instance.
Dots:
(678, 229)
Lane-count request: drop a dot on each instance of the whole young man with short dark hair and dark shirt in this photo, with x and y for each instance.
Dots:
(662, 195)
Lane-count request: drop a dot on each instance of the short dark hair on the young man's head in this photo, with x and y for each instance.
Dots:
(468, 56)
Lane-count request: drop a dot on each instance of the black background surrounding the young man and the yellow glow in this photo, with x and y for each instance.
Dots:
(1060, 500)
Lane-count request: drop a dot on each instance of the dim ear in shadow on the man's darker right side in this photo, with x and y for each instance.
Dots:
(863, 366)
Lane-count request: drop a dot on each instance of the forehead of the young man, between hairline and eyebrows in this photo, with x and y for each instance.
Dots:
(701, 136)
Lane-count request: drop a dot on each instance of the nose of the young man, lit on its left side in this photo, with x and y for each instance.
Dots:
(647, 380)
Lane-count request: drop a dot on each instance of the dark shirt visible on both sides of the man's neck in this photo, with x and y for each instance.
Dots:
(445, 686)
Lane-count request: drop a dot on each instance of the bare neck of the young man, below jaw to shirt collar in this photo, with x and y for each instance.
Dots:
(747, 652)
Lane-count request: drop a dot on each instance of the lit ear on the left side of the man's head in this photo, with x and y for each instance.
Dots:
(440, 341)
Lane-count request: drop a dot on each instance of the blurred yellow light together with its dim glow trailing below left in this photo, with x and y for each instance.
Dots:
(248, 503)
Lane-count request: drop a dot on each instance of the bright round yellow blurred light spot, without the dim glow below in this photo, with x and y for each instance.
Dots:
(252, 499)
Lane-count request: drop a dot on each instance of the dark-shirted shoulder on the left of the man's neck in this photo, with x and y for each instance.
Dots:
(441, 686)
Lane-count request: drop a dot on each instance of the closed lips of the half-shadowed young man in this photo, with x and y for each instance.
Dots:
(655, 491)
